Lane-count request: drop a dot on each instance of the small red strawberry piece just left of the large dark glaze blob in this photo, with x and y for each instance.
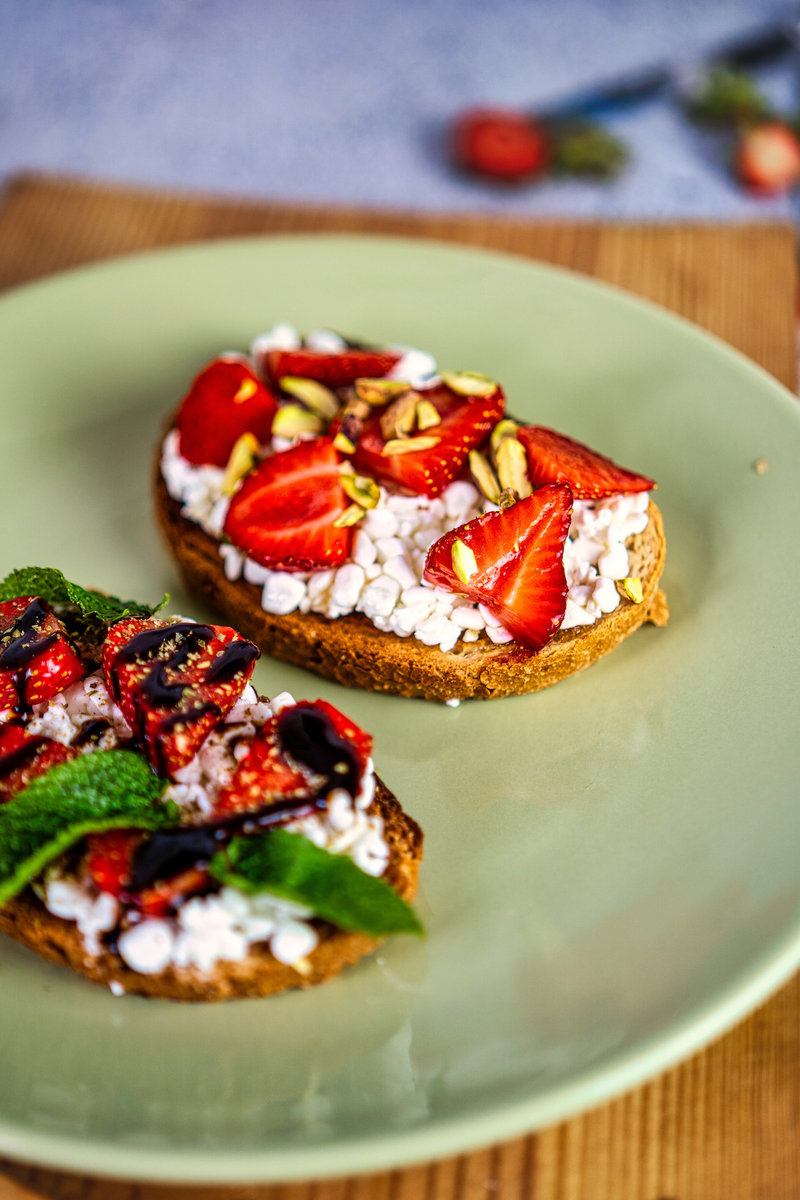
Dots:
(264, 776)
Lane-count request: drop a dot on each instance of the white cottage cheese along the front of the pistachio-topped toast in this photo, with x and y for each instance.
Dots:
(383, 579)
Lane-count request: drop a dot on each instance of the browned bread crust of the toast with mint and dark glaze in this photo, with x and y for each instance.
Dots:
(28, 921)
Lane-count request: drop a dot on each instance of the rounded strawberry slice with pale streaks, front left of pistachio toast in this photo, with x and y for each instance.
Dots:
(285, 512)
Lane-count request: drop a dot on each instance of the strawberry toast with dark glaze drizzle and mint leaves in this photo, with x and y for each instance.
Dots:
(167, 832)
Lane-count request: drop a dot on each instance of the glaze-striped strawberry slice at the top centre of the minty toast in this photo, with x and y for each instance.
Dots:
(175, 682)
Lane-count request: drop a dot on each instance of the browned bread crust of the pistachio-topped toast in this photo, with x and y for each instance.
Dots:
(353, 652)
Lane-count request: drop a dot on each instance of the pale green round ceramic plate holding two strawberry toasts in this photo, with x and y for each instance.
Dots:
(611, 875)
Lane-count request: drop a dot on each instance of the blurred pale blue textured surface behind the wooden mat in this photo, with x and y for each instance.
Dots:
(346, 101)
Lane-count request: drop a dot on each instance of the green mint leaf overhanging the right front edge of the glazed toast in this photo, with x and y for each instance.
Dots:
(291, 867)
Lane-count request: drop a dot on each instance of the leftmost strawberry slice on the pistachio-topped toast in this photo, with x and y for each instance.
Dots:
(225, 401)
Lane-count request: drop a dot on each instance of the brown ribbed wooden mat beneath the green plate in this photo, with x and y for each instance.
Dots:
(726, 1124)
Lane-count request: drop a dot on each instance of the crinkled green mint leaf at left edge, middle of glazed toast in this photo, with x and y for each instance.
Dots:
(104, 790)
